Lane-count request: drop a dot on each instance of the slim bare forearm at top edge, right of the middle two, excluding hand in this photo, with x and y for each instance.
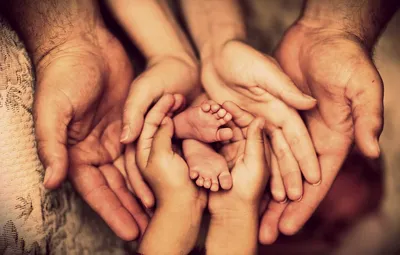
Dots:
(212, 23)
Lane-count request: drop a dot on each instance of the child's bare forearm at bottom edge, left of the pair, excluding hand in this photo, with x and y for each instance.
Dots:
(172, 230)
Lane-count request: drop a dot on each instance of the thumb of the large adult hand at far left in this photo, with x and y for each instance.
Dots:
(51, 121)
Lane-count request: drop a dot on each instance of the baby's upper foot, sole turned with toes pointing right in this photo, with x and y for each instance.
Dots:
(203, 123)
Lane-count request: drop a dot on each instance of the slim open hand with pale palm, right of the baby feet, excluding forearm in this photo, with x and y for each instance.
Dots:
(257, 84)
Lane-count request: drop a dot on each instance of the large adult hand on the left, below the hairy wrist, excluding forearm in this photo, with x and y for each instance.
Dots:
(81, 88)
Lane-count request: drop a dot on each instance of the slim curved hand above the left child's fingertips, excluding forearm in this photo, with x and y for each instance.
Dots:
(170, 74)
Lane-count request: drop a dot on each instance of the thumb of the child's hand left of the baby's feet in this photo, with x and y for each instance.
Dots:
(162, 142)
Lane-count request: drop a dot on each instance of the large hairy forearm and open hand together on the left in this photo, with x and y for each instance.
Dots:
(82, 79)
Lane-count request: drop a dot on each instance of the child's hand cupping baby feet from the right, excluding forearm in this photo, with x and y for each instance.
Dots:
(246, 156)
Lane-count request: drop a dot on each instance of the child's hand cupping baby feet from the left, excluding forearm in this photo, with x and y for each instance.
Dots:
(164, 170)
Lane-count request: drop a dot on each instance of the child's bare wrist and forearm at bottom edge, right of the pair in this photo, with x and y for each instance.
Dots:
(233, 233)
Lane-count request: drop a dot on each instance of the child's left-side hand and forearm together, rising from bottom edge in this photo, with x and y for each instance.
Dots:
(180, 204)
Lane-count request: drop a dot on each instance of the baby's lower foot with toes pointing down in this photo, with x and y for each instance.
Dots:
(207, 166)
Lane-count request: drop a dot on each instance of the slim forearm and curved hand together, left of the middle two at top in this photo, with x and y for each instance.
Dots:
(171, 68)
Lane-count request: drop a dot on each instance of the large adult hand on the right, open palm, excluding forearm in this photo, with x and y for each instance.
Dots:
(336, 69)
